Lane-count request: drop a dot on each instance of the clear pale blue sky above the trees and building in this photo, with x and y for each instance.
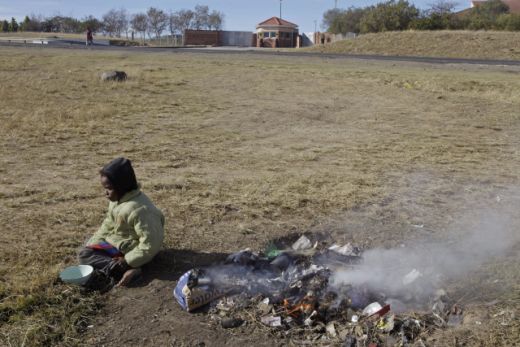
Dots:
(241, 15)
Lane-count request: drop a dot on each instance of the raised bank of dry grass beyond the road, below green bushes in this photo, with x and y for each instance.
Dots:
(452, 44)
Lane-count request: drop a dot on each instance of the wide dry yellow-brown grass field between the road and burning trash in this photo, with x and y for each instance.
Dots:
(239, 150)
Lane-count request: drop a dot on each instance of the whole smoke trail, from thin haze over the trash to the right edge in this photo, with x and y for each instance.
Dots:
(407, 276)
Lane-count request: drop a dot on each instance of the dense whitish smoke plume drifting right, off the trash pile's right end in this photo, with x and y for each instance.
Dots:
(415, 272)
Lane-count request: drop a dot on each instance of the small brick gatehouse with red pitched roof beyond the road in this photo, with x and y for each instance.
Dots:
(277, 32)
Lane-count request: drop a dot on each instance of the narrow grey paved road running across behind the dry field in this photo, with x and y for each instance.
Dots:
(103, 45)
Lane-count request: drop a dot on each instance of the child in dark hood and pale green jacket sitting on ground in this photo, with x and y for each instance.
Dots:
(133, 230)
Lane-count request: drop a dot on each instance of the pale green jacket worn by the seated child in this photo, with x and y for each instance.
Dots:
(135, 226)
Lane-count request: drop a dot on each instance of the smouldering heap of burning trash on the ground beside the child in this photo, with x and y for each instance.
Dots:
(311, 293)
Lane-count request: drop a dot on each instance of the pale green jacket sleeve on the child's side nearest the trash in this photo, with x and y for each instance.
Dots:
(149, 227)
